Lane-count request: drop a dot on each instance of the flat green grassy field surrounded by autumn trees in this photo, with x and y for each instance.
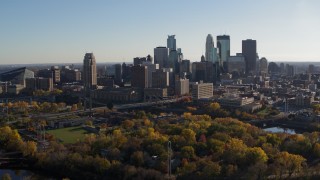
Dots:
(69, 135)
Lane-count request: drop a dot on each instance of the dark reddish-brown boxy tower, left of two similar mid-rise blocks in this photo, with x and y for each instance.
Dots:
(139, 76)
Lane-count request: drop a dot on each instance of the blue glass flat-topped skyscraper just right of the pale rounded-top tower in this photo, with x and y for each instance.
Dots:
(223, 44)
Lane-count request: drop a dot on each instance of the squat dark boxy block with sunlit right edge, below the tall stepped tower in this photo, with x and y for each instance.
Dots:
(160, 79)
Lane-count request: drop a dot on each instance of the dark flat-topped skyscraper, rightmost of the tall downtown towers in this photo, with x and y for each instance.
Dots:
(249, 51)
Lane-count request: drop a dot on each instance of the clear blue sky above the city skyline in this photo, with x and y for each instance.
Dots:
(62, 31)
